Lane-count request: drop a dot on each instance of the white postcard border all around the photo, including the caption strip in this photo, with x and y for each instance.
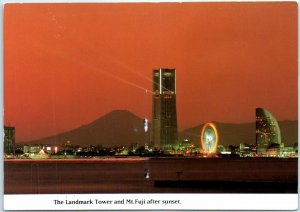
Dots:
(188, 201)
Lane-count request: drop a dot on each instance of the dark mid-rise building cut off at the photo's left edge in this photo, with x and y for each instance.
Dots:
(9, 141)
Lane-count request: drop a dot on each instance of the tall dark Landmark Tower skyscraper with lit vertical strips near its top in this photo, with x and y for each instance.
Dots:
(164, 116)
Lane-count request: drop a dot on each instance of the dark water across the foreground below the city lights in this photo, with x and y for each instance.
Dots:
(127, 175)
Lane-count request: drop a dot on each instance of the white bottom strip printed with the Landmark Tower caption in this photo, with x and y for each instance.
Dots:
(187, 202)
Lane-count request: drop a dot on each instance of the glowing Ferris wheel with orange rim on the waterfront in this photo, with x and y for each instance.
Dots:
(209, 138)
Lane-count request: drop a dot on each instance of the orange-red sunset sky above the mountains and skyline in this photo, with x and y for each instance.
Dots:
(67, 64)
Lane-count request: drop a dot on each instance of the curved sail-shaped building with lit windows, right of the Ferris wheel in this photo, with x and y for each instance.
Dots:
(268, 137)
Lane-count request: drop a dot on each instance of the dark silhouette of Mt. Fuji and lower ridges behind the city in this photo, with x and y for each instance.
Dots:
(121, 127)
